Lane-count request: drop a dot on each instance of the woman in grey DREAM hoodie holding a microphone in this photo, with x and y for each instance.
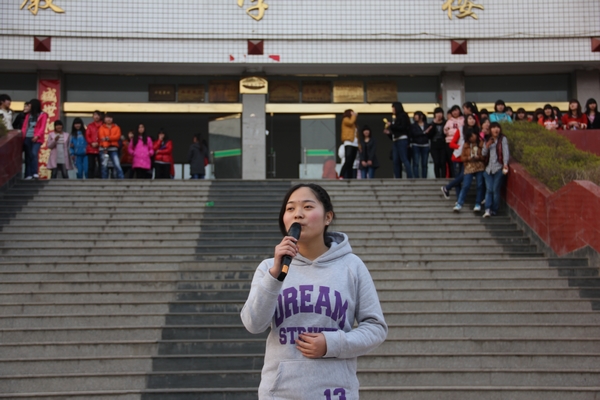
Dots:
(313, 346)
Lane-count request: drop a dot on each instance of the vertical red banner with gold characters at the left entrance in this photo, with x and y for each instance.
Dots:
(49, 95)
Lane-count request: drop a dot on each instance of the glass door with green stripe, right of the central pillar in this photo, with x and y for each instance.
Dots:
(317, 145)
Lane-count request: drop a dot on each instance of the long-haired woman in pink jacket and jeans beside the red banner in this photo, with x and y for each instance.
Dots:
(34, 128)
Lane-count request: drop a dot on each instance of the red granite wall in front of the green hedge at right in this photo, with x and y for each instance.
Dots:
(566, 220)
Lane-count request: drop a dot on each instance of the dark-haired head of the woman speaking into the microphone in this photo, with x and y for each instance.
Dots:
(304, 207)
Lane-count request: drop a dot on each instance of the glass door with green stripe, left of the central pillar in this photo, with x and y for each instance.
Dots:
(225, 138)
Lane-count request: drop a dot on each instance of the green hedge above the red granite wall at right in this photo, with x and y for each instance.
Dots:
(550, 157)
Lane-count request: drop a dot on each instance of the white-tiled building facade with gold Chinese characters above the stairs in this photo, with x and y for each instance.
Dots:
(107, 54)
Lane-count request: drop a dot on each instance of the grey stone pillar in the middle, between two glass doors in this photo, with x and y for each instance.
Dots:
(254, 158)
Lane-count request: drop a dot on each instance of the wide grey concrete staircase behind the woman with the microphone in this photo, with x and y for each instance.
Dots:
(132, 290)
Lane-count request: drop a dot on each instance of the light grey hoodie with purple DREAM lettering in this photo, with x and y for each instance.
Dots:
(325, 295)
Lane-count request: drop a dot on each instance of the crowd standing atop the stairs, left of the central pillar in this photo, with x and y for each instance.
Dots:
(98, 150)
